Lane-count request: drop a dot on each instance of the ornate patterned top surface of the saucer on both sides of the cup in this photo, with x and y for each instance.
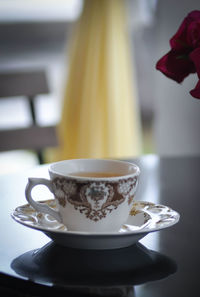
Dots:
(140, 218)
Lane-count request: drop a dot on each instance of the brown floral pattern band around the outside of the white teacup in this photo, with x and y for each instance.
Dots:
(94, 199)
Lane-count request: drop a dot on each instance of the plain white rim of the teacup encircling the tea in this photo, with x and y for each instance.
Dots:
(86, 178)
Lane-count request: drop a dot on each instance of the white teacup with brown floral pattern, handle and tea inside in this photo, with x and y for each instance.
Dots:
(92, 195)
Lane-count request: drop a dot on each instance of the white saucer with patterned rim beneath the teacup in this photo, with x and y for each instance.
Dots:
(145, 217)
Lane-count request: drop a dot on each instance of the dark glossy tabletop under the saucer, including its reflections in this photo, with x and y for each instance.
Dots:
(164, 263)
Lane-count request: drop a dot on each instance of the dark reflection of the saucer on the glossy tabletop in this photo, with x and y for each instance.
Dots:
(93, 271)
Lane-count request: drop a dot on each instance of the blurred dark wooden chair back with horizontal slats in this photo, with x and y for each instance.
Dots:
(36, 138)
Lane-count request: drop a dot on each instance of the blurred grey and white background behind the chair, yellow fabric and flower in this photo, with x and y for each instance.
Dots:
(34, 35)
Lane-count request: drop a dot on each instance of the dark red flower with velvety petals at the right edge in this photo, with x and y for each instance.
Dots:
(184, 56)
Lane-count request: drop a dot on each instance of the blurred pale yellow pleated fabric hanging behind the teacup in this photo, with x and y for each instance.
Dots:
(100, 116)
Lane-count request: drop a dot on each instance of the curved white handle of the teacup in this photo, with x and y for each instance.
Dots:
(32, 182)
